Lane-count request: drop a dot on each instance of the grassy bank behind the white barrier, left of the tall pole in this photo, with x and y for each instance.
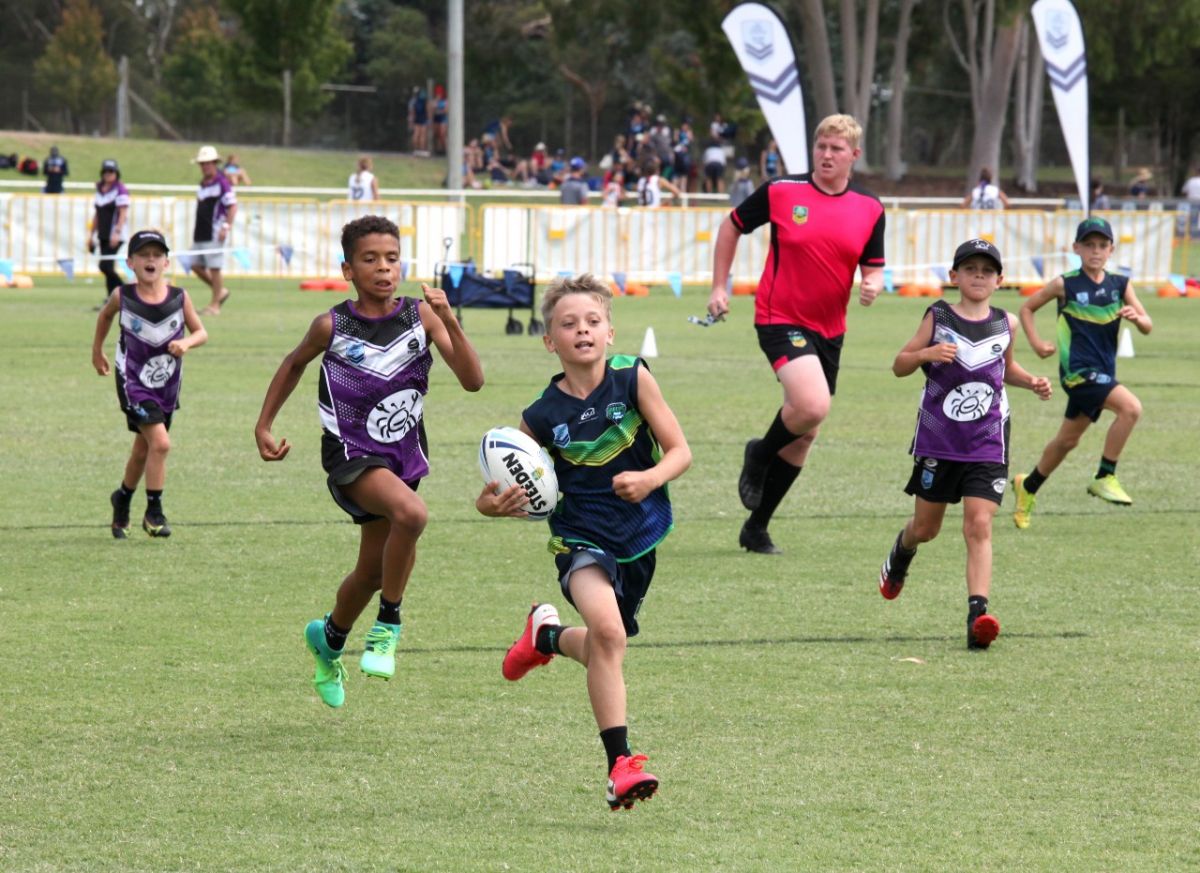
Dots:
(154, 161)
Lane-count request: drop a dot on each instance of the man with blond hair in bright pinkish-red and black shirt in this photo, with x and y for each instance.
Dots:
(823, 228)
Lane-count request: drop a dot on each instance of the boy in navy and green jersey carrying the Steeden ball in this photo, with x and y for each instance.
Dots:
(616, 445)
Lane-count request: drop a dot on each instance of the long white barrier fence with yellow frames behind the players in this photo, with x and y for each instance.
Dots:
(299, 238)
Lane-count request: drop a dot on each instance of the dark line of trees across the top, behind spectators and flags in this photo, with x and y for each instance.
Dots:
(934, 82)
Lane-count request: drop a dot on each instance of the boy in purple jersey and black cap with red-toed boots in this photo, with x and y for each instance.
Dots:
(961, 447)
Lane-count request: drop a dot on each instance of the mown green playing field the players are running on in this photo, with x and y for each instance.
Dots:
(157, 707)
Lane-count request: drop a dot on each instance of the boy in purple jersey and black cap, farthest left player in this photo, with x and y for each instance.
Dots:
(149, 371)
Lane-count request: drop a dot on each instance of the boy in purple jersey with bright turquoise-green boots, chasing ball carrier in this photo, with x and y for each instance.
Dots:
(371, 394)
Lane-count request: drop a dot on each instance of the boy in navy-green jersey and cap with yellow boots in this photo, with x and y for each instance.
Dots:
(1091, 305)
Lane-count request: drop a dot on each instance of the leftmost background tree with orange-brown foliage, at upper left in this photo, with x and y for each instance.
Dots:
(75, 71)
